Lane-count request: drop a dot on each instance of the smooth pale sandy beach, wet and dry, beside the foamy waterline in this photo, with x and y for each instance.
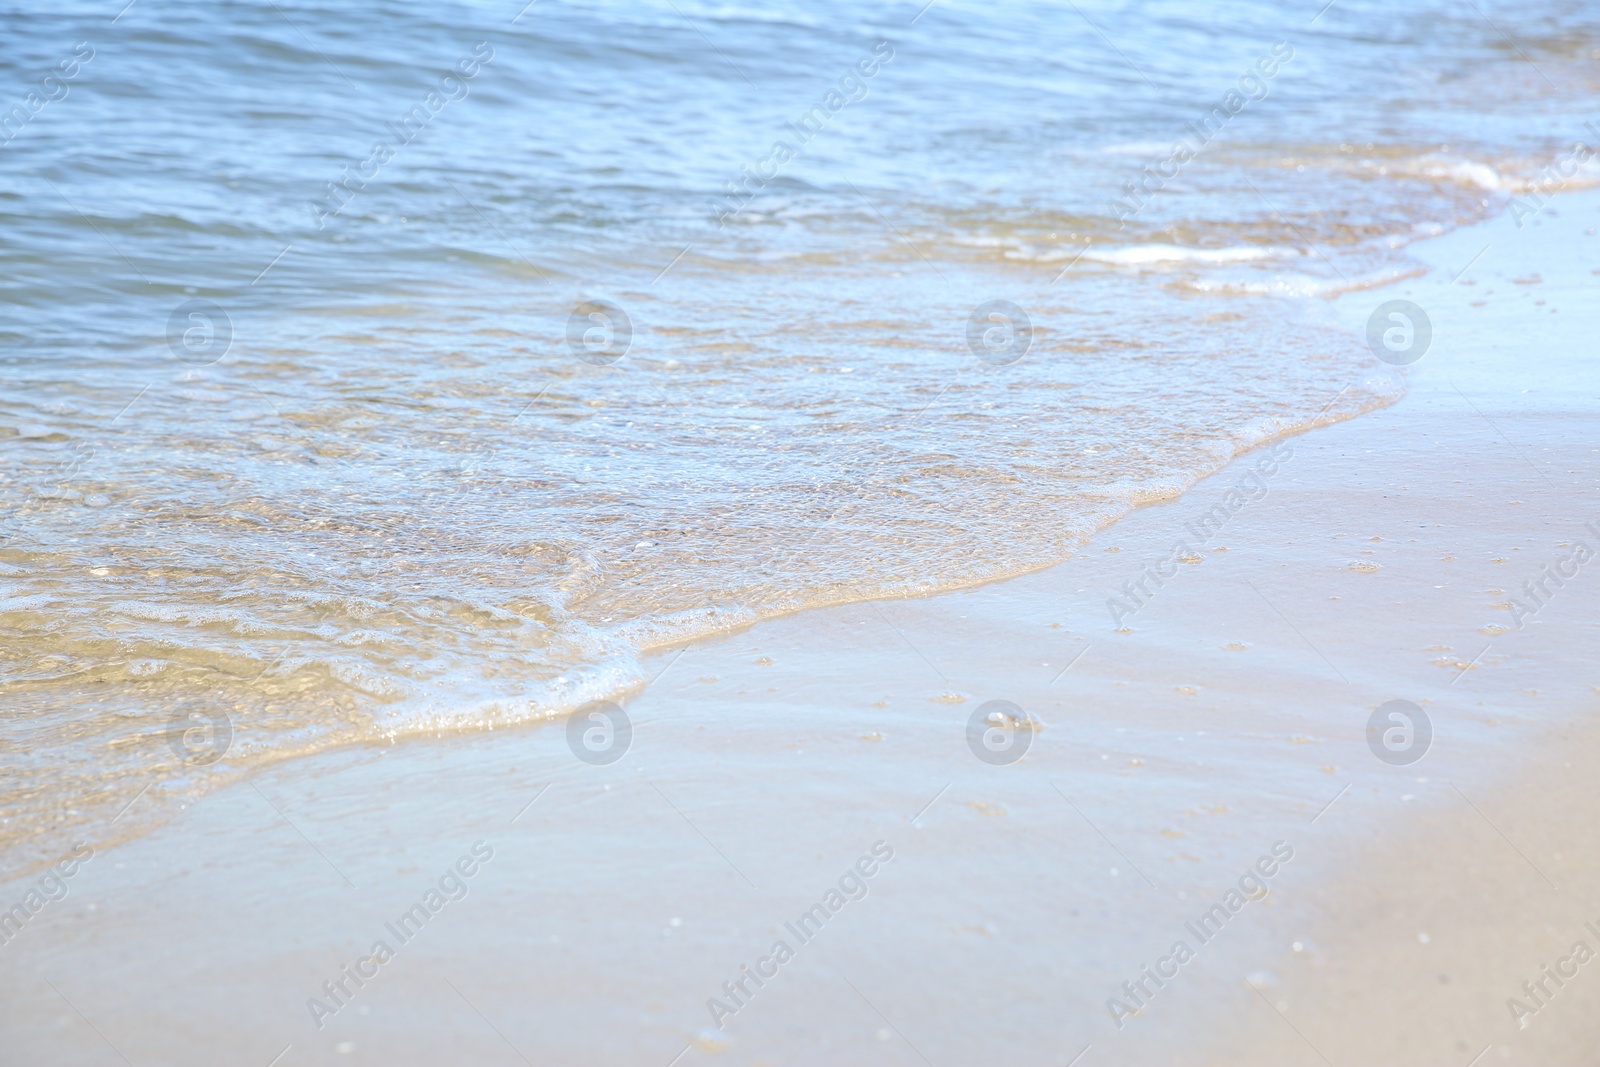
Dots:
(817, 781)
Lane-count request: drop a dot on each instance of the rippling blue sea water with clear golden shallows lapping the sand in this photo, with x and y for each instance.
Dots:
(391, 476)
